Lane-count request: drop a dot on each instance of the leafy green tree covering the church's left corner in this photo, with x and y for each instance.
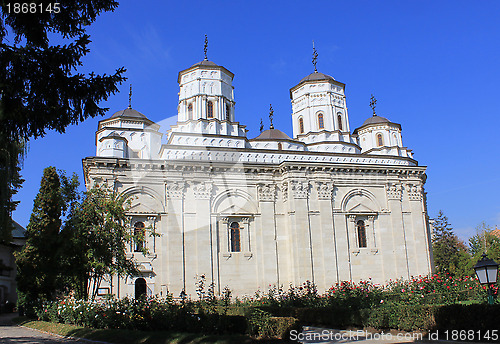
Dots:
(97, 237)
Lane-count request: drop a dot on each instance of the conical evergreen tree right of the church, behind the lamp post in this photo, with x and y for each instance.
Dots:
(450, 253)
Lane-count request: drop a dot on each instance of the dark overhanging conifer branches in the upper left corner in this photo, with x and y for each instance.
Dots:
(40, 85)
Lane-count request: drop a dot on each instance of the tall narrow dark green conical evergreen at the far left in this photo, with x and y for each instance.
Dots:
(37, 263)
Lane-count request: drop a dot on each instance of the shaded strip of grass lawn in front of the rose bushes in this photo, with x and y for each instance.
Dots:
(136, 337)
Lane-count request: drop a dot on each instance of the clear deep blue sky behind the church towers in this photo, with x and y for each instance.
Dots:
(434, 67)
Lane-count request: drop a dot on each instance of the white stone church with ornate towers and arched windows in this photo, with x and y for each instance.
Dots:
(326, 205)
